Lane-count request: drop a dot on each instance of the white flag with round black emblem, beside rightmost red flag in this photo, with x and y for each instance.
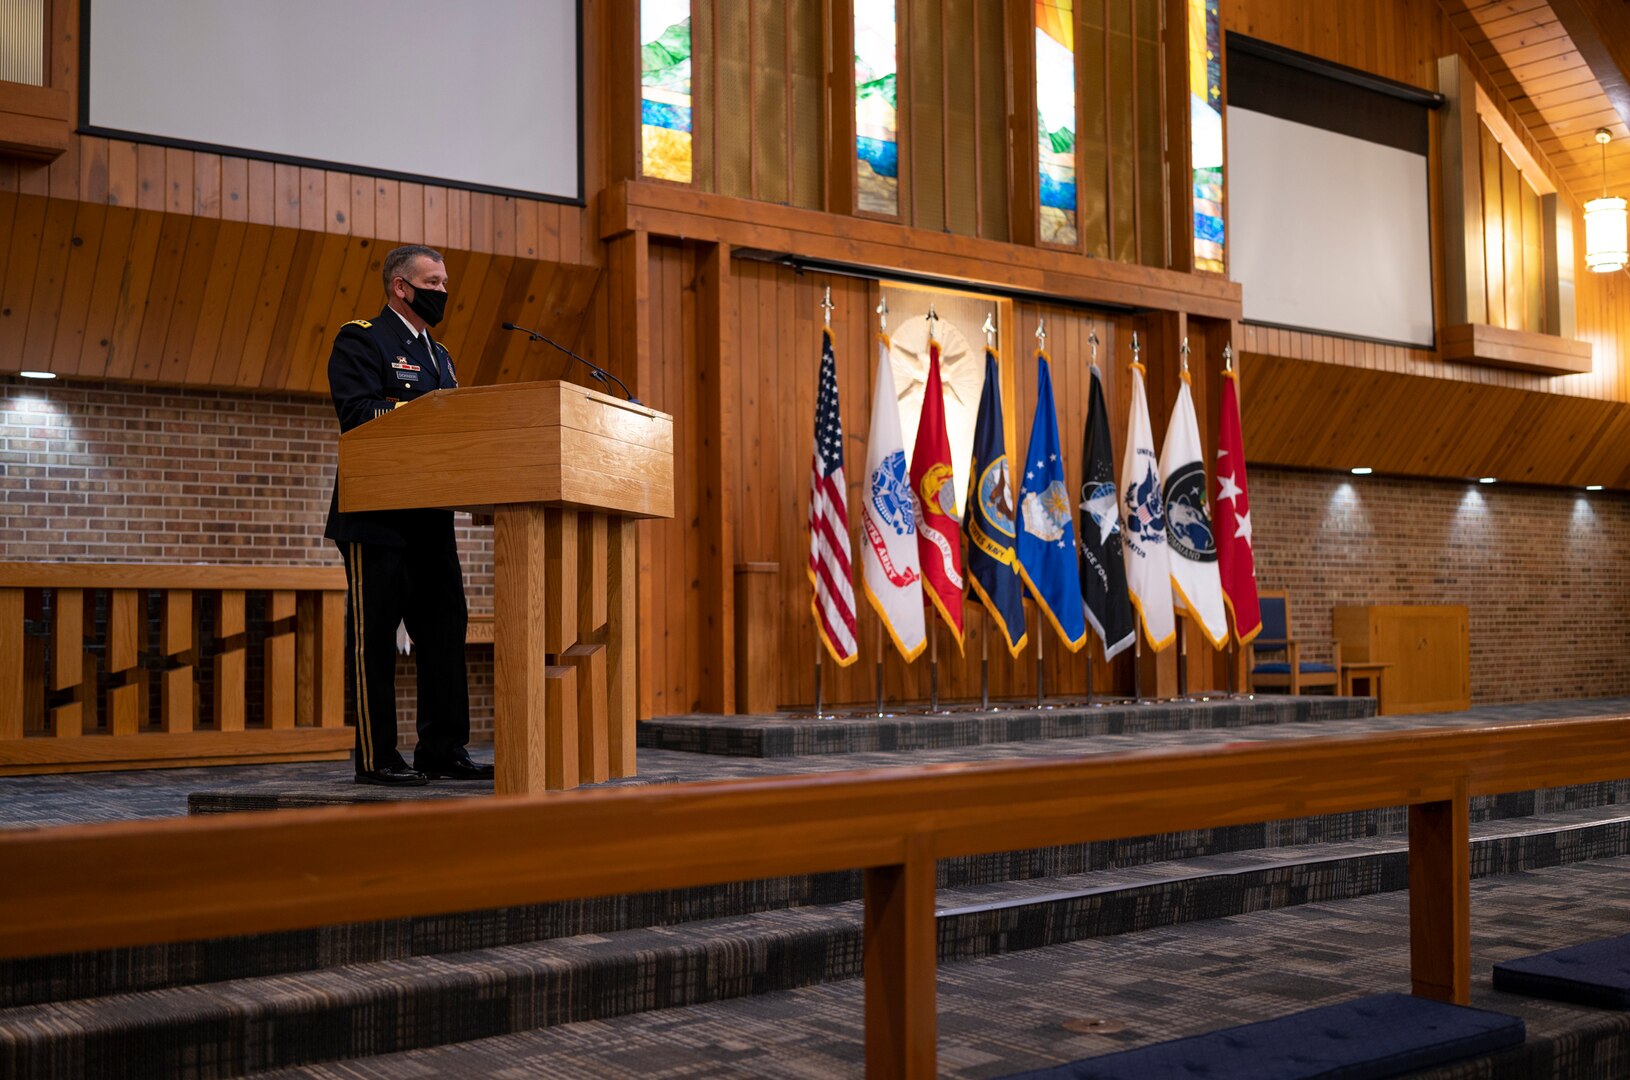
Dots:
(1194, 553)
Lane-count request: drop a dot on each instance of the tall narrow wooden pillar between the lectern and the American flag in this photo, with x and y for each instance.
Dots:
(720, 426)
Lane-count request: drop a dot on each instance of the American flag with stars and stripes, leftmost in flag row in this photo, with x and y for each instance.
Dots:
(834, 602)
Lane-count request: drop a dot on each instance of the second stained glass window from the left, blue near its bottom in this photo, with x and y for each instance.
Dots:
(876, 133)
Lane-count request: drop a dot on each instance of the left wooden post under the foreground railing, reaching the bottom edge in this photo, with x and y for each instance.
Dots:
(901, 955)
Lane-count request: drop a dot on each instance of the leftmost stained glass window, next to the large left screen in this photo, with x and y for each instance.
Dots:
(666, 89)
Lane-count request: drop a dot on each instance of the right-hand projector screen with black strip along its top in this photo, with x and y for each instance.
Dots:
(1329, 206)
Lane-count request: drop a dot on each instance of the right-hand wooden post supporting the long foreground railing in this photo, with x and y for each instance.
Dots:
(1442, 898)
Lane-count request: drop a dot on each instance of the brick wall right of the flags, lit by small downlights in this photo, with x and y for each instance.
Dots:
(1544, 573)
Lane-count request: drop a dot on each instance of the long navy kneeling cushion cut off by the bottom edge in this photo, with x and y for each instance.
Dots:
(1370, 1038)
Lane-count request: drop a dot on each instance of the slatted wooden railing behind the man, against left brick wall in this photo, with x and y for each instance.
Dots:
(79, 696)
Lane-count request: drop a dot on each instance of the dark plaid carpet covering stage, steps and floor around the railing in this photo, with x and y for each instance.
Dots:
(1126, 941)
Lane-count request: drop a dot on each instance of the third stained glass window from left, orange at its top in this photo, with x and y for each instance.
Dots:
(1055, 107)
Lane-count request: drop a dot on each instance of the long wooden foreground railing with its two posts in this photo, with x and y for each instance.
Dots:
(148, 882)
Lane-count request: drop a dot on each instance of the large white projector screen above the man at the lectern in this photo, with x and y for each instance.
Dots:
(478, 95)
